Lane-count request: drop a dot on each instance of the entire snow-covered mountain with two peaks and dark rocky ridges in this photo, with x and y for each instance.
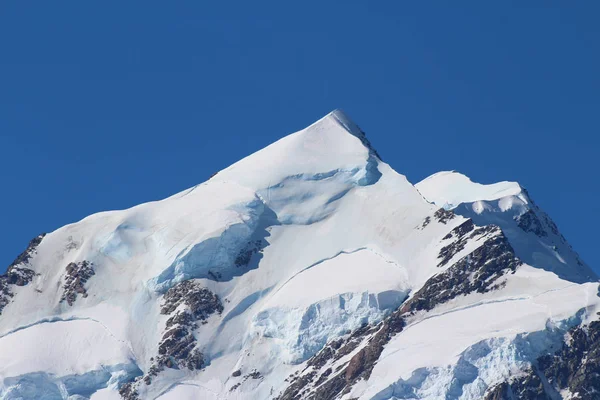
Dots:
(308, 270)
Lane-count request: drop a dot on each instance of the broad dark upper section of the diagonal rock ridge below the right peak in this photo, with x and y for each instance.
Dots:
(480, 271)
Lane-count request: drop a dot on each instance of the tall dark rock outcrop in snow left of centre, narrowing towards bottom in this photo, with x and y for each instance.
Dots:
(187, 303)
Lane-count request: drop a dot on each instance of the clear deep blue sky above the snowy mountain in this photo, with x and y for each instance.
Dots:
(104, 105)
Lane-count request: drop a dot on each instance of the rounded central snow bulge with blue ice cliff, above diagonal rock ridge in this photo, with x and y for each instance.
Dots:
(329, 299)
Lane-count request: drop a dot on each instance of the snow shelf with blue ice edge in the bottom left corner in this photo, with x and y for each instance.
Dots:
(77, 357)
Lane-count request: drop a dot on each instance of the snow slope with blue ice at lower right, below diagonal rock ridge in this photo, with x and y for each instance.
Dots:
(440, 341)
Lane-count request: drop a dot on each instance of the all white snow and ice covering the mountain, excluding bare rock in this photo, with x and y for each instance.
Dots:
(331, 238)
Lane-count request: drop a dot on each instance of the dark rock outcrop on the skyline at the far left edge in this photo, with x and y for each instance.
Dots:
(17, 273)
